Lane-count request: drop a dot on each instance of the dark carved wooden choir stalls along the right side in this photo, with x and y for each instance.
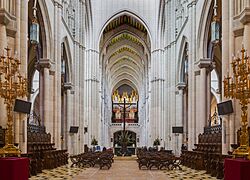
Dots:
(207, 154)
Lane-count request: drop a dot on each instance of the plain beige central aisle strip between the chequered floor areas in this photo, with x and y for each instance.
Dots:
(121, 169)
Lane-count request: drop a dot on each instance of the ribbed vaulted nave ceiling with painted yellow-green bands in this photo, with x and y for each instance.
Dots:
(125, 51)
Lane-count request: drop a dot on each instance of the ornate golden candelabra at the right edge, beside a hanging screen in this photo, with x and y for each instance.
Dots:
(238, 87)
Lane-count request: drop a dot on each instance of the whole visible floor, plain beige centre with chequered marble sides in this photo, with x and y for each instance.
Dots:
(120, 170)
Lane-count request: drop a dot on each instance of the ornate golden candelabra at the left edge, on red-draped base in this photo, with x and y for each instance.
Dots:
(12, 85)
